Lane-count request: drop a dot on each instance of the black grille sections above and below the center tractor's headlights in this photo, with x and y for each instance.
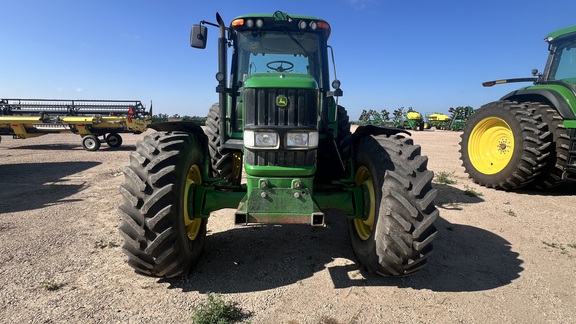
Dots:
(261, 111)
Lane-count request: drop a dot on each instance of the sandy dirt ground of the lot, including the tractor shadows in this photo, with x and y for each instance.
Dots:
(499, 257)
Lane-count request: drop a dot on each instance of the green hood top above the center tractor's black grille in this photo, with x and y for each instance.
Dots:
(281, 80)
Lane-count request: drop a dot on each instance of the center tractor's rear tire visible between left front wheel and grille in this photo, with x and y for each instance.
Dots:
(226, 166)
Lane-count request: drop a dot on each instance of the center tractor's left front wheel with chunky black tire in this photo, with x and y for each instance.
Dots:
(160, 239)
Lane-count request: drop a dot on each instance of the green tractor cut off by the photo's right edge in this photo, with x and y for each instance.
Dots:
(528, 137)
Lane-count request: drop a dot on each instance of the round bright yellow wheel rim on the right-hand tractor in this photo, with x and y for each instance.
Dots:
(491, 145)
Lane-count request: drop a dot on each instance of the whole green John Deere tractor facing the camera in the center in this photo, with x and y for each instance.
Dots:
(278, 119)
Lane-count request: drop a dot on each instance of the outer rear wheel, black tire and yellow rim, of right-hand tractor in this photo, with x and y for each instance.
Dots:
(503, 146)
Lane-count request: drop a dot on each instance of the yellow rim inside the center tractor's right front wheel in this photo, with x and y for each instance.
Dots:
(363, 226)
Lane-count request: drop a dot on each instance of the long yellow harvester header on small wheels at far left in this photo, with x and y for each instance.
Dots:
(26, 118)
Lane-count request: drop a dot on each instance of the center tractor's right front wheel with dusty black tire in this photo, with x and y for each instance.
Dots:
(395, 235)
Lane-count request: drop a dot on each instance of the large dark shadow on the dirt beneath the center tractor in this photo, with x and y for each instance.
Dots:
(252, 259)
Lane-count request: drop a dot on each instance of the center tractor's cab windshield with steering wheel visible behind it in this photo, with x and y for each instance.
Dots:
(266, 51)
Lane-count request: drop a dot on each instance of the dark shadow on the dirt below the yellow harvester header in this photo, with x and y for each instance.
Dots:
(28, 186)
